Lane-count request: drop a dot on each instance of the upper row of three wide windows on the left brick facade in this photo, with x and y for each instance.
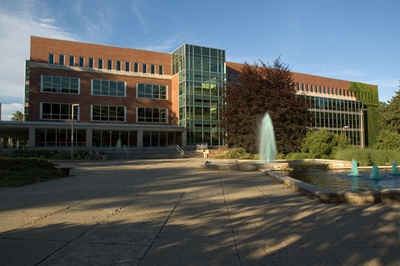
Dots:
(71, 85)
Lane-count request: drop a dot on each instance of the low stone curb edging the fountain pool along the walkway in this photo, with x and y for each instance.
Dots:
(386, 196)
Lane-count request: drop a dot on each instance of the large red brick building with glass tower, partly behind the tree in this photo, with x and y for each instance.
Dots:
(130, 98)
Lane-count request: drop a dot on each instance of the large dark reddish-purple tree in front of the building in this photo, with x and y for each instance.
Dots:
(258, 89)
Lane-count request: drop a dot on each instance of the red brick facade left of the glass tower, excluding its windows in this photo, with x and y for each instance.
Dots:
(42, 47)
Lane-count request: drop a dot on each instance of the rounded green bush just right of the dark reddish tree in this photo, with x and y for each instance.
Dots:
(322, 143)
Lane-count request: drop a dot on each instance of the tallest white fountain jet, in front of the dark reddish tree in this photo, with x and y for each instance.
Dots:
(267, 146)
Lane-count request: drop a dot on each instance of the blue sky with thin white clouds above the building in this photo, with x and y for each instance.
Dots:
(354, 40)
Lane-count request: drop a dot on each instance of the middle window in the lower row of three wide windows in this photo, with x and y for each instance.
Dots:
(106, 112)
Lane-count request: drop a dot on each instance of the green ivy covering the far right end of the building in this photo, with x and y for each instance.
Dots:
(368, 95)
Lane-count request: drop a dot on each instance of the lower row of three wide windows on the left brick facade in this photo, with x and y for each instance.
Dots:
(102, 112)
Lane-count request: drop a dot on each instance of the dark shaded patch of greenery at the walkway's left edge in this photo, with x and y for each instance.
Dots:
(22, 171)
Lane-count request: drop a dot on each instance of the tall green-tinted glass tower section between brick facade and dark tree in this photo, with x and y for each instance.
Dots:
(202, 80)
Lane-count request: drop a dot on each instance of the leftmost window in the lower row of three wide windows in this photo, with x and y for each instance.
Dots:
(58, 111)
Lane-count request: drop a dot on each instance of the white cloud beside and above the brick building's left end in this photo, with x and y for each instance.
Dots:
(16, 29)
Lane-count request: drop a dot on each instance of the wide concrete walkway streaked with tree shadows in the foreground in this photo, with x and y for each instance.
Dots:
(159, 212)
